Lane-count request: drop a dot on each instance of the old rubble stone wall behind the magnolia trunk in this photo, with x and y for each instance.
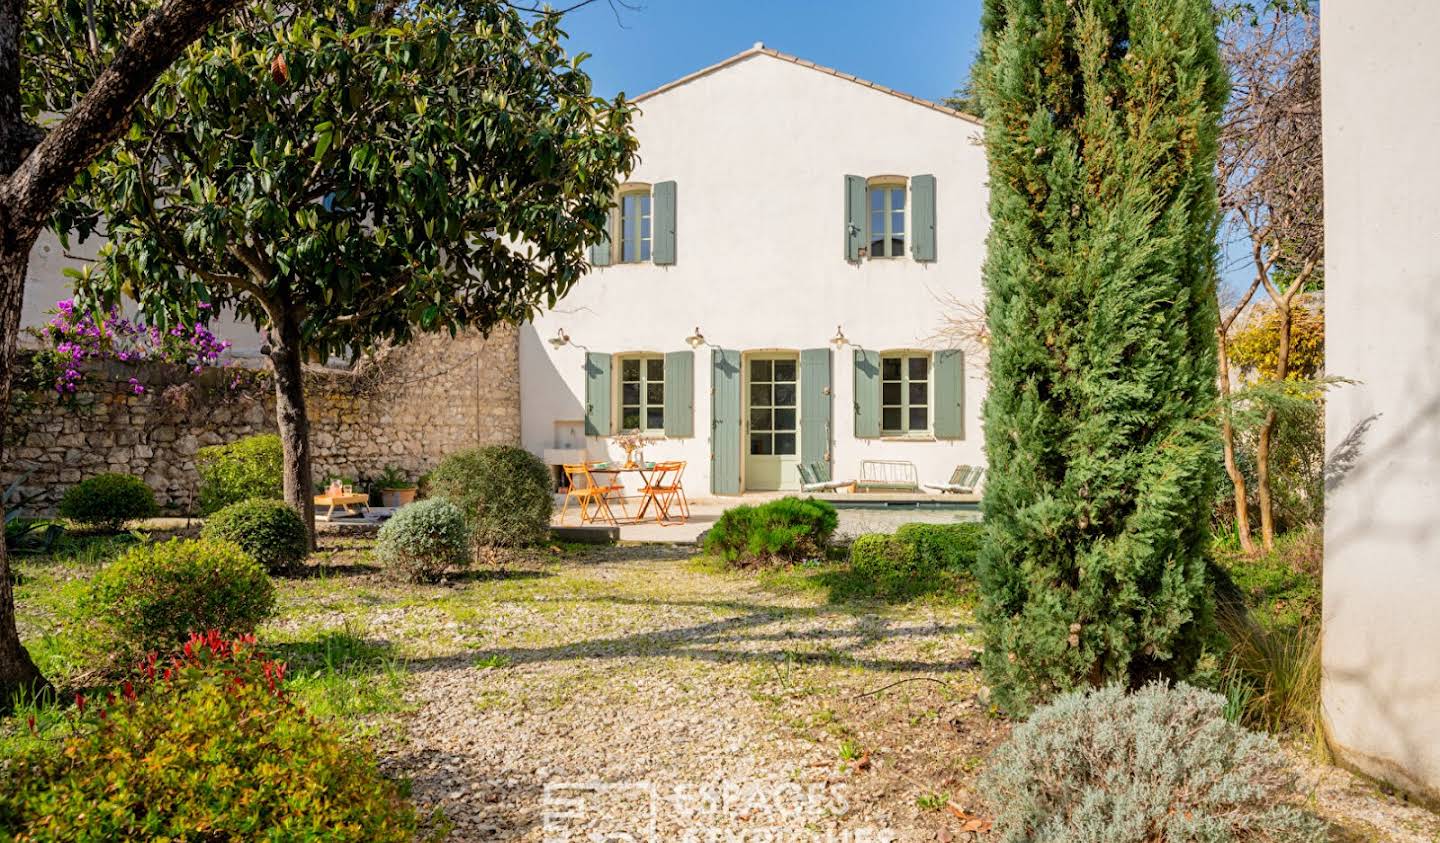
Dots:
(407, 409)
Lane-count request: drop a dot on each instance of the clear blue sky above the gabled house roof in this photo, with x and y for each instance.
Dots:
(917, 47)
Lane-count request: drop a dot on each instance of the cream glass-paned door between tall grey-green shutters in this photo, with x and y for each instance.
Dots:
(773, 416)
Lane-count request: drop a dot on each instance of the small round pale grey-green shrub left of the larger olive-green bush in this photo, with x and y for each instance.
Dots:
(424, 540)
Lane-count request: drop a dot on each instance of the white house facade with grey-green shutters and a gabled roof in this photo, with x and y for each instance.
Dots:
(777, 285)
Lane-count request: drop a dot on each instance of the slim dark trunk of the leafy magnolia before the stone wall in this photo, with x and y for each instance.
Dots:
(287, 357)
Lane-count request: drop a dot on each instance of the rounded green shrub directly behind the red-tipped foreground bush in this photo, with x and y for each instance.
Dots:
(155, 596)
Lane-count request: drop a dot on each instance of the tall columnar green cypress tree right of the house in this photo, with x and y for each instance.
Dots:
(1101, 277)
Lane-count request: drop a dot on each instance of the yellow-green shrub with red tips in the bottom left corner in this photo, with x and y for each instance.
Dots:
(207, 747)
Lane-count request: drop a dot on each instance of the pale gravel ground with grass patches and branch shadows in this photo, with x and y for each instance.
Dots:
(647, 698)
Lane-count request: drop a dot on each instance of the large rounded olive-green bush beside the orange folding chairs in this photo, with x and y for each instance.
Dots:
(506, 494)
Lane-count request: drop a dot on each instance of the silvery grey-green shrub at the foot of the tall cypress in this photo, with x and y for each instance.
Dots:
(1158, 764)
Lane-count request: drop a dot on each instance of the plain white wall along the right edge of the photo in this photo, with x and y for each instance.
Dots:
(1382, 93)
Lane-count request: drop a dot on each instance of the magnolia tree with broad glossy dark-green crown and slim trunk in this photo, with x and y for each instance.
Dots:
(355, 172)
